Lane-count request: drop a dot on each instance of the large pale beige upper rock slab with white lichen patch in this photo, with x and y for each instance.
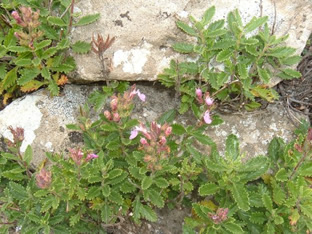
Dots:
(146, 29)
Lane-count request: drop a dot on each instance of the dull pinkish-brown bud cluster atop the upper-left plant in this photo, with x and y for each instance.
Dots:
(30, 23)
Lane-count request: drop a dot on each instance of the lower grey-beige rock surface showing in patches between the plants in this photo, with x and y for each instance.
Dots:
(44, 120)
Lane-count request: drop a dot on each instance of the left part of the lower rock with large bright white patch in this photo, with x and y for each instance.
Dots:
(44, 120)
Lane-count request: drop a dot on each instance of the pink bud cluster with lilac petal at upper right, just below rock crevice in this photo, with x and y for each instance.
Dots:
(121, 106)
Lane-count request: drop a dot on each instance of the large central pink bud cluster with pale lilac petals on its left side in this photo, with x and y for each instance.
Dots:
(153, 143)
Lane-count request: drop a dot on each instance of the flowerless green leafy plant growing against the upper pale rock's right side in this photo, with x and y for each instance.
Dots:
(236, 61)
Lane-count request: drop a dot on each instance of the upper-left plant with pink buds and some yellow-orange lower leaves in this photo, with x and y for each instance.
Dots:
(33, 50)
